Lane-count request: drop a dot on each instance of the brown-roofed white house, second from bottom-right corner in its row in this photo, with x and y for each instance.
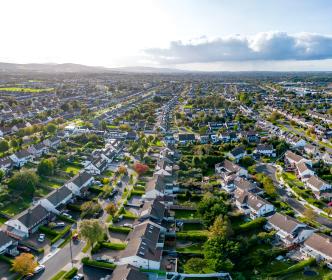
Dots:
(288, 230)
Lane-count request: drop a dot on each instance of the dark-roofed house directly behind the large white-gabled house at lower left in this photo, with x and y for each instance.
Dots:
(56, 199)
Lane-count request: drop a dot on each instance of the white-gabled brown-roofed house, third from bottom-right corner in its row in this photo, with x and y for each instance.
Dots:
(252, 205)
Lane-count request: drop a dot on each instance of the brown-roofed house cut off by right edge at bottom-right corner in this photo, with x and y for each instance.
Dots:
(318, 246)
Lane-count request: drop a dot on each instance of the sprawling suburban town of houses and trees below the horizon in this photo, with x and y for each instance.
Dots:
(165, 176)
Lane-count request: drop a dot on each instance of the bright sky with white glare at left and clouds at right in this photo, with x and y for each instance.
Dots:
(207, 35)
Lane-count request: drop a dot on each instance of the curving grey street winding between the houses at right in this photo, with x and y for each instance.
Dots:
(298, 207)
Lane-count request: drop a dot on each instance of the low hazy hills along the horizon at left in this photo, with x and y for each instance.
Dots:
(78, 68)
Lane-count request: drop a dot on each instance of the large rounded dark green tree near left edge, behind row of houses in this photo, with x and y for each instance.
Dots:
(24, 181)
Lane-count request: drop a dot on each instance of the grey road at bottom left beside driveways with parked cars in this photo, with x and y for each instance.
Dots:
(60, 260)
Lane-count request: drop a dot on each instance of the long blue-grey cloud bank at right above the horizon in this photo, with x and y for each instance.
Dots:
(265, 46)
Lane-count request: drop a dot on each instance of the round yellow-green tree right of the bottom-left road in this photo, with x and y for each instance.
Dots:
(91, 230)
